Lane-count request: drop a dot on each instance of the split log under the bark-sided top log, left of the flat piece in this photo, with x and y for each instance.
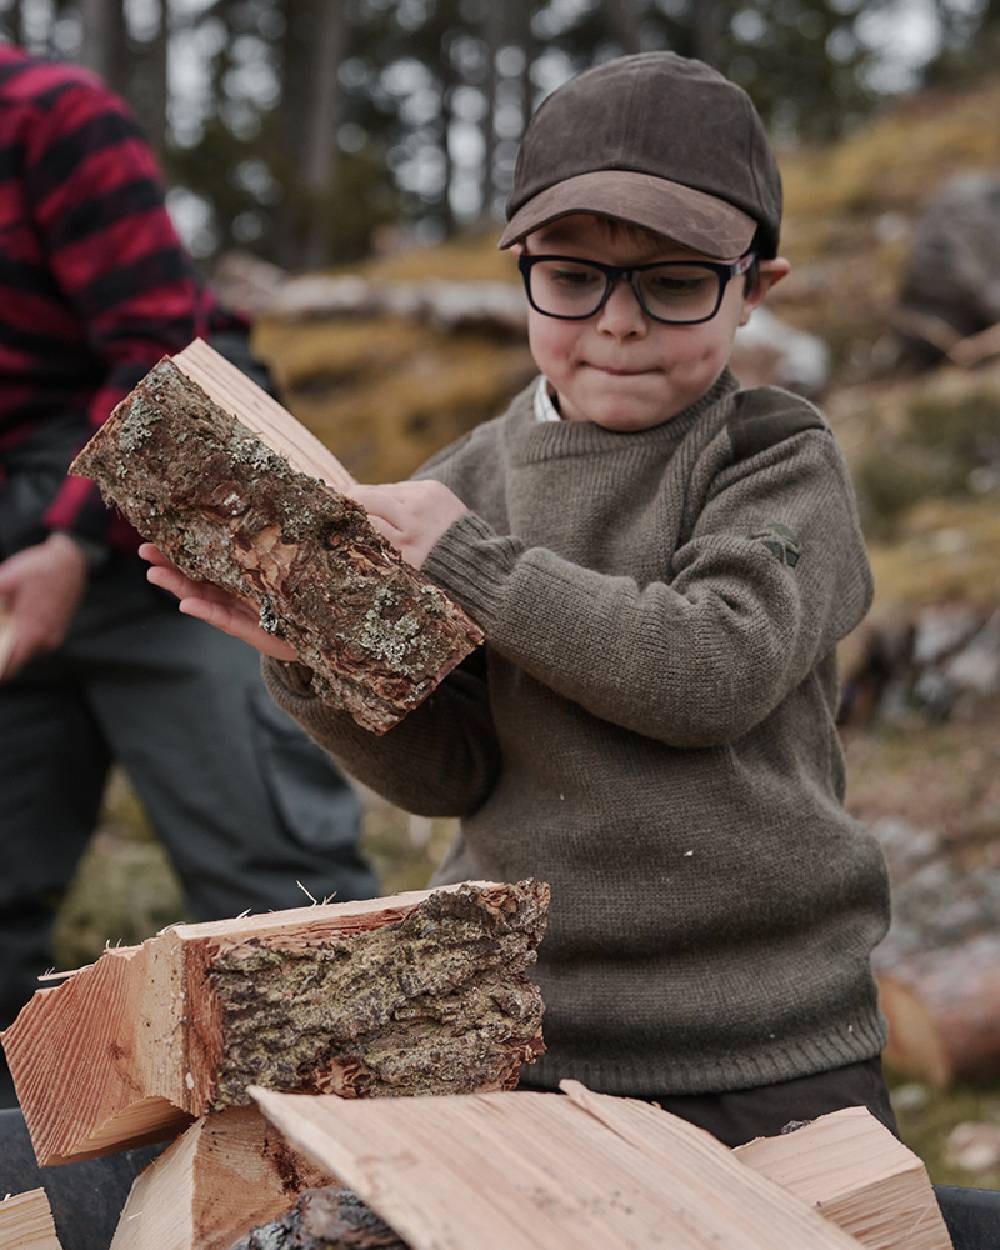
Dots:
(227, 1174)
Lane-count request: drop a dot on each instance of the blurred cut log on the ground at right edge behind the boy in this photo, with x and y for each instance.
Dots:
(942, 1006)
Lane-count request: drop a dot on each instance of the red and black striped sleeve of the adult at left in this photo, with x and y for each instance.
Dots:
(96, 197)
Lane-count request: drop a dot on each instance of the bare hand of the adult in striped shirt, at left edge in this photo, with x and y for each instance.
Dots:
(41, 589)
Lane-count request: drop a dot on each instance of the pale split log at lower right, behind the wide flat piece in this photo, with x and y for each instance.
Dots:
(857, 1174)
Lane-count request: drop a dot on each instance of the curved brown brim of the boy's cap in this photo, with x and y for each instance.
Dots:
(692, 218)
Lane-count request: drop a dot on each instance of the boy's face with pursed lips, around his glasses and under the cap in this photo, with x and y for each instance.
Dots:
(619, 368)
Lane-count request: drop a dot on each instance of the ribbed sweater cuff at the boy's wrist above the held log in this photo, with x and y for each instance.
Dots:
(473, 564)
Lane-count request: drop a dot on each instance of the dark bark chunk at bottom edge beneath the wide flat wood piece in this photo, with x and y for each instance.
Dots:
(326, 1219)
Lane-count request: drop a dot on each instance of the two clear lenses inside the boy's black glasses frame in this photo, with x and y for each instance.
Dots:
(676, 292)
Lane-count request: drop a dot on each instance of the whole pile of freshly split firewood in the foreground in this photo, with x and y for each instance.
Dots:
(318, 1017)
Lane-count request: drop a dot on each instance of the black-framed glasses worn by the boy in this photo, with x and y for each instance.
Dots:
(673, 292)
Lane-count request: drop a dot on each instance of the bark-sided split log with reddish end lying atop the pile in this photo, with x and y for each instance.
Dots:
(412, 994)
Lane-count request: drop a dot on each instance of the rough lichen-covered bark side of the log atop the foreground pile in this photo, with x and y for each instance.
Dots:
(437, 1003)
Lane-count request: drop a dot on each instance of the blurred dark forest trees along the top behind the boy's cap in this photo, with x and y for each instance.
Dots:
(301, 129)
